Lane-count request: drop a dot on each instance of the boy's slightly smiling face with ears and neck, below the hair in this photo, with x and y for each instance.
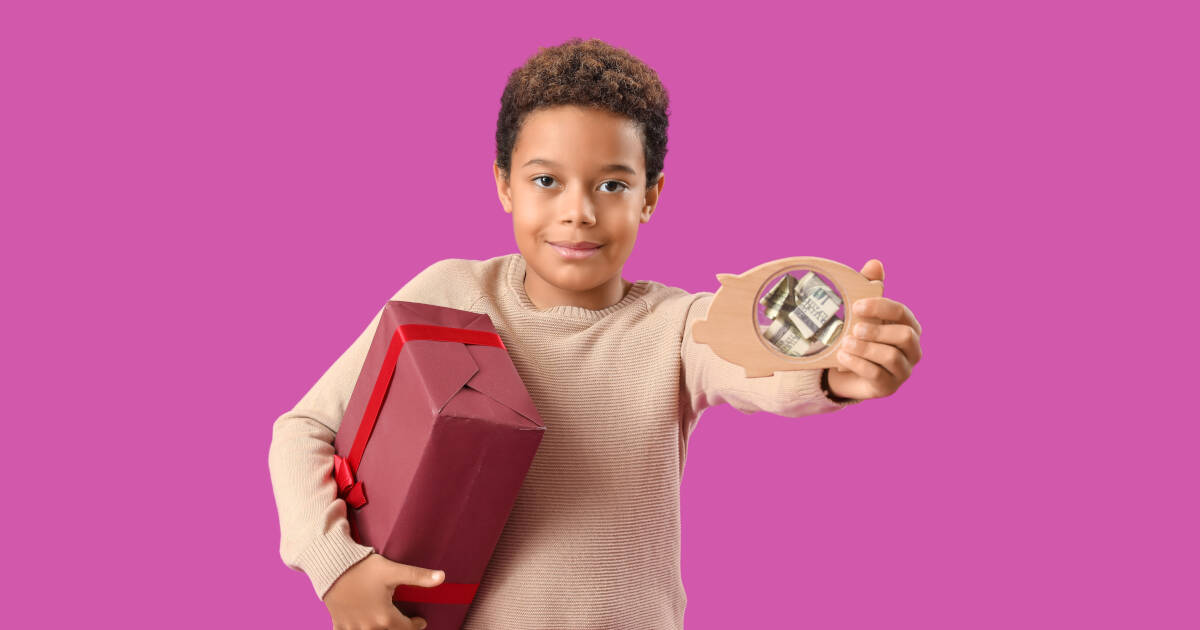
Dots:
(568, 185)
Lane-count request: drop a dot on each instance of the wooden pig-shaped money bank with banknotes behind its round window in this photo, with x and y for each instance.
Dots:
(789, 314)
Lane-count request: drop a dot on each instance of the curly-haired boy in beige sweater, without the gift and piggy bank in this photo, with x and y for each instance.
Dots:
(593, 538)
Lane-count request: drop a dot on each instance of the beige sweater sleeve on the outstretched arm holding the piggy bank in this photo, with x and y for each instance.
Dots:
(710, 381)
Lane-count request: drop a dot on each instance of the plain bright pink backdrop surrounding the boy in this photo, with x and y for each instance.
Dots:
(205, 203)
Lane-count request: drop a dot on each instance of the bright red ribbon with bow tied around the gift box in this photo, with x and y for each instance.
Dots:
(353, 491)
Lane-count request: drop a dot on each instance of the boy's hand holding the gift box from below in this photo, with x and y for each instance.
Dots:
(362, 597)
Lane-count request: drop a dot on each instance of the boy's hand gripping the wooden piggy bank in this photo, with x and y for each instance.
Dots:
(878, 357)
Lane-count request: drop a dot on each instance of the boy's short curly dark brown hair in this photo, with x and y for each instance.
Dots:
(590, 74)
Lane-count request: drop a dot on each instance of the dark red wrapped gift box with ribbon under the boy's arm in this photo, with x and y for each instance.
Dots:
(436, 442)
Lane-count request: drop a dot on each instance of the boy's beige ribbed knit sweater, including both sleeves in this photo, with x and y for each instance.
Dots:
(593, 538)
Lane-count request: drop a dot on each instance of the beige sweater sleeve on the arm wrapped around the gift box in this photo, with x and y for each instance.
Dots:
(315, 535)
